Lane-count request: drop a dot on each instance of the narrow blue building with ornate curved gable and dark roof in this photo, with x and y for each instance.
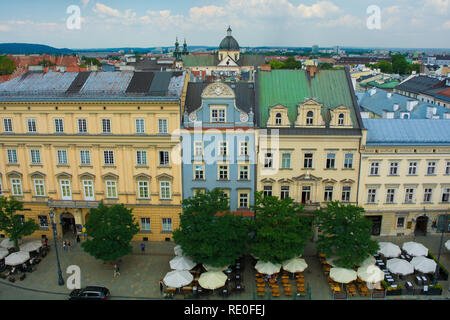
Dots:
(218, 142)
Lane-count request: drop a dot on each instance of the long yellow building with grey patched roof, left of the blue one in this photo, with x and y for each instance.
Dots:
(110, 141)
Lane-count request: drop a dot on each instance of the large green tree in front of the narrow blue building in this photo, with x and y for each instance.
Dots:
(216, 240)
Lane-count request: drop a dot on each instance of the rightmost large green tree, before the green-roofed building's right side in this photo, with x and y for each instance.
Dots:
(346, 234)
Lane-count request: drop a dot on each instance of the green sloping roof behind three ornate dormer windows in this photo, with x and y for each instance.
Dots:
(292, 87)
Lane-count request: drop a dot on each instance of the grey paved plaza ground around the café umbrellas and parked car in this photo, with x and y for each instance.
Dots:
(141, 272)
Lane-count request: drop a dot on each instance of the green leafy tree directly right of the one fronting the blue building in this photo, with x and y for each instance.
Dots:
(281, 229)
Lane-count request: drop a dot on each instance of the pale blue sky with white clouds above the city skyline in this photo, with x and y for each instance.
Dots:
(298, 23)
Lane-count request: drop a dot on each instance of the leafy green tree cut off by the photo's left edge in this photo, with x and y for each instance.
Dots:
(12, 224)
